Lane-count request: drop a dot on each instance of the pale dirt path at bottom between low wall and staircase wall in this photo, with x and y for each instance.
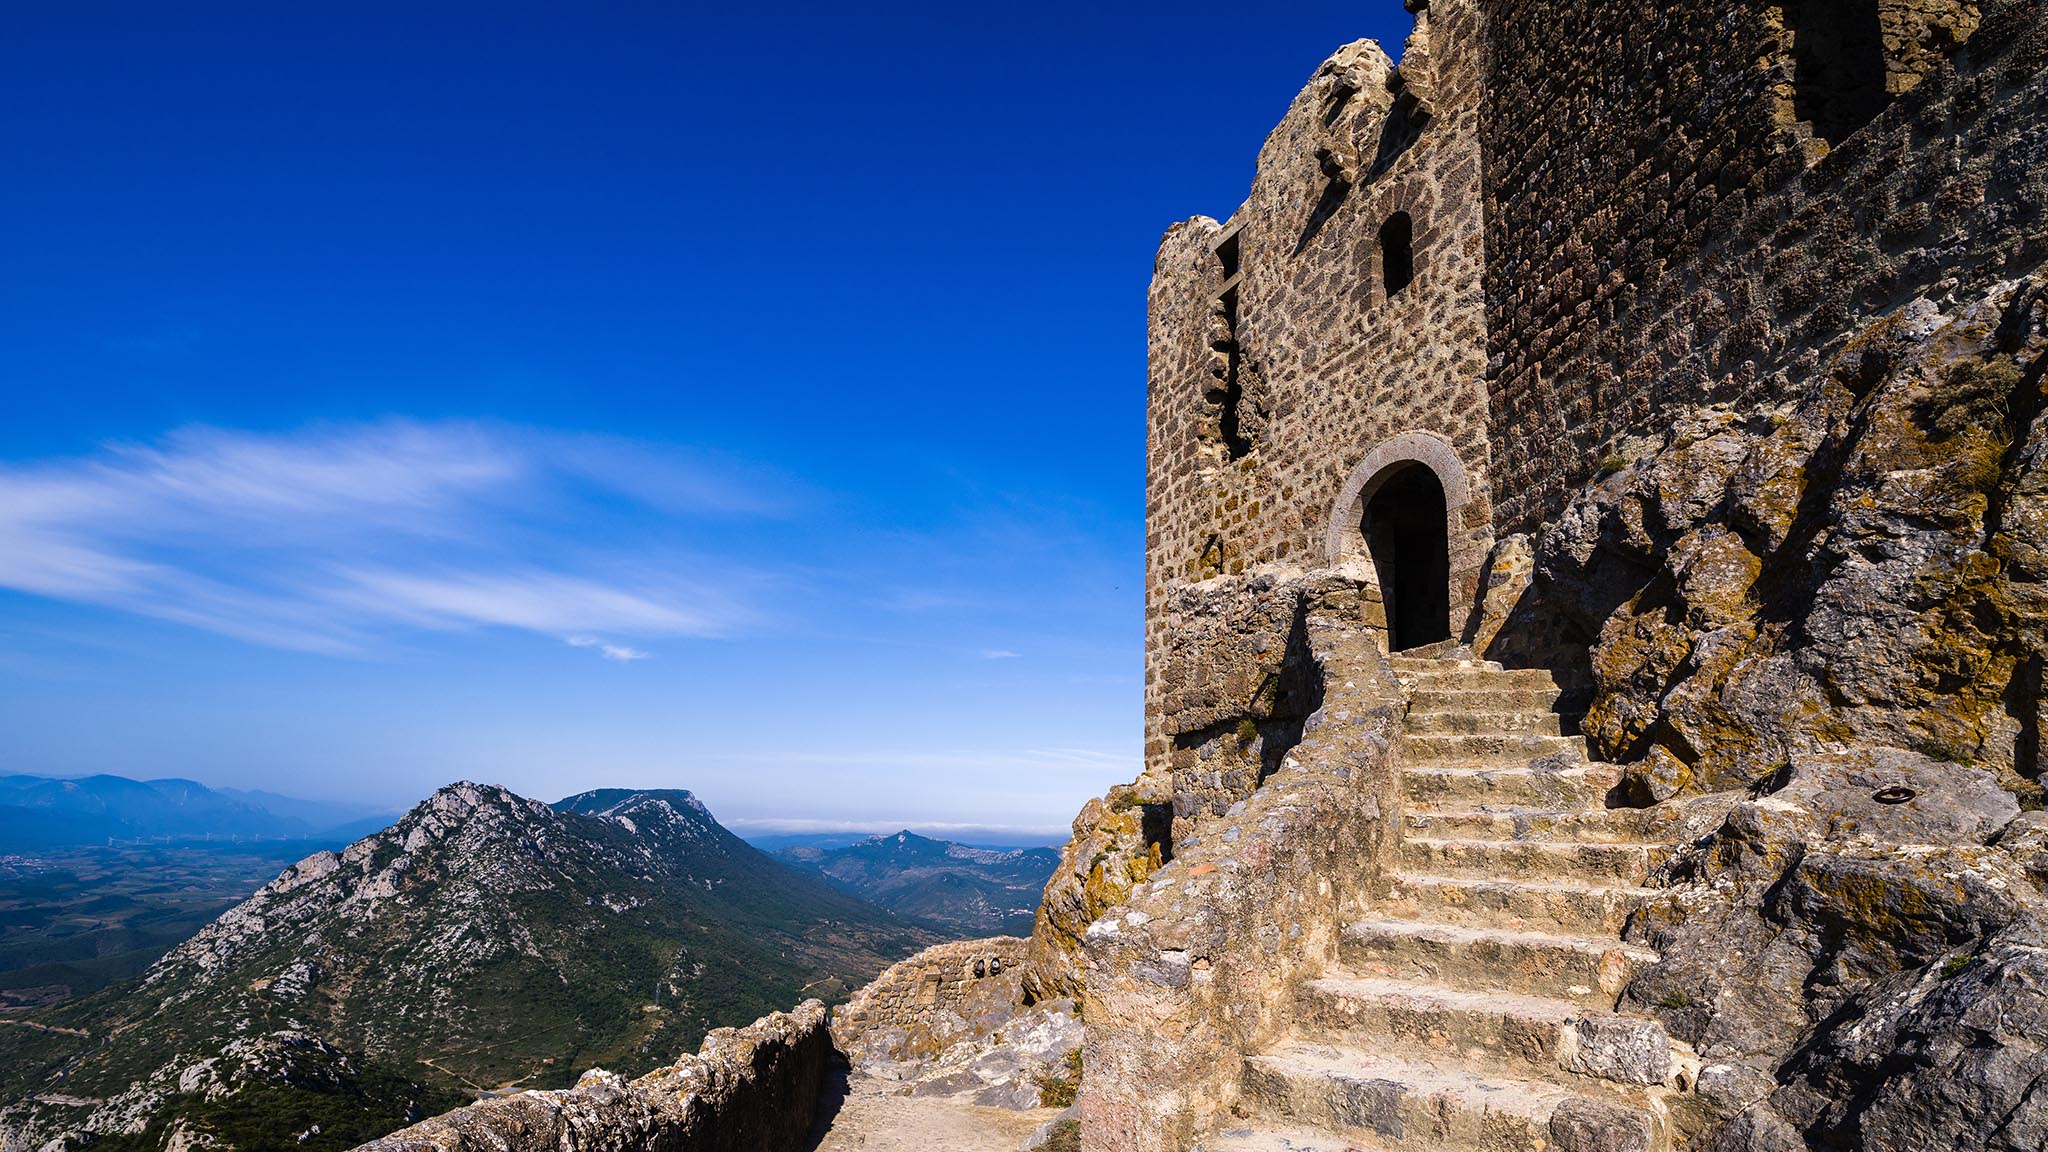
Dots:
(876, 1120)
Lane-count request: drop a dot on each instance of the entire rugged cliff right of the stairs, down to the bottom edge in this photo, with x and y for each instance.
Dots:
(1820, 632)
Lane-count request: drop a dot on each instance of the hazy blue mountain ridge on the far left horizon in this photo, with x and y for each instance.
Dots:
(42, 813)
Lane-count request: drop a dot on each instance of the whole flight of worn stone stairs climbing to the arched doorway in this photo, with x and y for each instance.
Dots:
(1476, 1010)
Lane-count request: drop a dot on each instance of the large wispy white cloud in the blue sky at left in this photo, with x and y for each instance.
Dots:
(339, 538)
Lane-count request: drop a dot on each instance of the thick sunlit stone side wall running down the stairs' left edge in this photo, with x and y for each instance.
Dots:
(1195, 969)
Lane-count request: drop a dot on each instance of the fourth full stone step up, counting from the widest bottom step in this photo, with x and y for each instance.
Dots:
(1517, 905)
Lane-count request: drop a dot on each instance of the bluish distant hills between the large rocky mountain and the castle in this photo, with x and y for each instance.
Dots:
(974, 893)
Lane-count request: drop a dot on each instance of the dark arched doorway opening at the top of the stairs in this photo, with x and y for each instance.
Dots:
(1410, 548)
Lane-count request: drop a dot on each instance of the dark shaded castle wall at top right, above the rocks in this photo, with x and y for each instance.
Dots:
(1664, 231)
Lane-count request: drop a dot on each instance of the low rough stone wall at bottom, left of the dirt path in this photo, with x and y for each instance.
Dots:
(751, 1089)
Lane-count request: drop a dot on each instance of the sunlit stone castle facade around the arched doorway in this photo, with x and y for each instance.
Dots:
(1273, 384)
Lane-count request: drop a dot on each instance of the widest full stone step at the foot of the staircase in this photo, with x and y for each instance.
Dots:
(1414, 1104)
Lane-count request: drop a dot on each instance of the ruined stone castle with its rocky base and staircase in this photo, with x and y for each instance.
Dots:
(1596, 591)
